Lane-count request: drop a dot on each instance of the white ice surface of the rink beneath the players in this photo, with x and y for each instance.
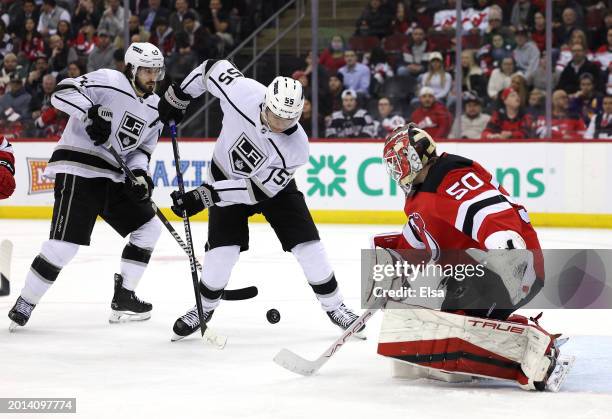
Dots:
(68, 349)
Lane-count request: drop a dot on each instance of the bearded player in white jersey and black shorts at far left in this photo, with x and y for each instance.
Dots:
(107, 108)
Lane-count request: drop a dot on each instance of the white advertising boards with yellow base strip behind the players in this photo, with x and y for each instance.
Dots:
(345, 181)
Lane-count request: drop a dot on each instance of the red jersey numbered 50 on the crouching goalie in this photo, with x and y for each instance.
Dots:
(460, 206)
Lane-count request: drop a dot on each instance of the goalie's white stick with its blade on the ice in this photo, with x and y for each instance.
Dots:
(295, 363)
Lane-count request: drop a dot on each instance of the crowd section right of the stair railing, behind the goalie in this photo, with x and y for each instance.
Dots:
(400, 66)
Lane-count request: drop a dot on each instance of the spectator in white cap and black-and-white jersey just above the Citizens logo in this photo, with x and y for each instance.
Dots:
(350, 122)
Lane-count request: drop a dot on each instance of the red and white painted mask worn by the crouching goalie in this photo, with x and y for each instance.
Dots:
(407, 150)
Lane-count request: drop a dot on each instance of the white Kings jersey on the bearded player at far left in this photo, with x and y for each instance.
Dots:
(135, 127)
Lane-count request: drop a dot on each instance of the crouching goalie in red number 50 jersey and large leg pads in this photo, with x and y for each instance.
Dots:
(455, 207)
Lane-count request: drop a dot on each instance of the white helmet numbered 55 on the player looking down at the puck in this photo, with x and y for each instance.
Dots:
(285, 100)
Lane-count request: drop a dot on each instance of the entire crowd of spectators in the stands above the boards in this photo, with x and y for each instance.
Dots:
(398, 66)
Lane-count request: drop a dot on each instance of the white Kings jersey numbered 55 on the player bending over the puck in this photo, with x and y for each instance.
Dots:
(250, 163)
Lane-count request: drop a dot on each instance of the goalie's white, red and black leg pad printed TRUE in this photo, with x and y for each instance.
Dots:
(469, 345)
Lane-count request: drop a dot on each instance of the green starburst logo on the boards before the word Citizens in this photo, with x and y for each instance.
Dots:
(326, 176)
